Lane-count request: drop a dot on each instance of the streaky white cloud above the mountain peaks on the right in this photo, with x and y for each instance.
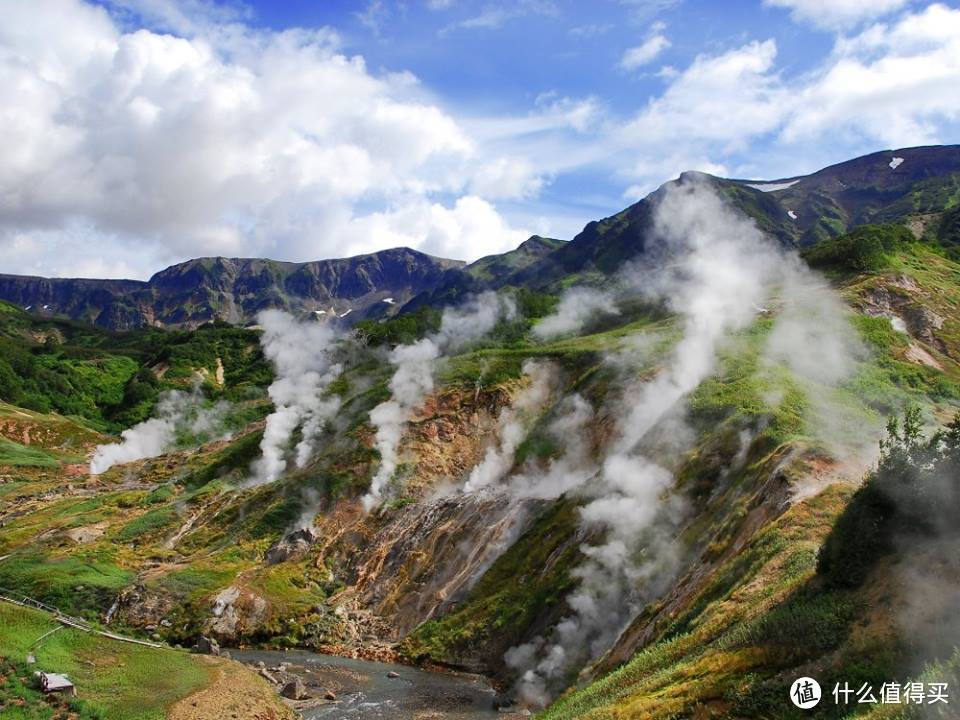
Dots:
(891, 85)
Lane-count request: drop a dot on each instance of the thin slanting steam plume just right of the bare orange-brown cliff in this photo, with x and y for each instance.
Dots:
(513, 425)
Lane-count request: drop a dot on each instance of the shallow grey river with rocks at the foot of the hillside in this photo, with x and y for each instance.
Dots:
(365, 691)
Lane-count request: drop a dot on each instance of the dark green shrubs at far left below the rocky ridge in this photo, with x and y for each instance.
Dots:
(113, 380)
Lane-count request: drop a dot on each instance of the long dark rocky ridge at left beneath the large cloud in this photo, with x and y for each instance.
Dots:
(233, 290)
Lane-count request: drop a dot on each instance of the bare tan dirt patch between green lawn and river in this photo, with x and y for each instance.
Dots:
(235, 693)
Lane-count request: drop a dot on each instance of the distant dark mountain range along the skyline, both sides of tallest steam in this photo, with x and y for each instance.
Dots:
(885, 186)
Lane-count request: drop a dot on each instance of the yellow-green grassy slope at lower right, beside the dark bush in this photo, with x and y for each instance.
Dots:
(739, 628)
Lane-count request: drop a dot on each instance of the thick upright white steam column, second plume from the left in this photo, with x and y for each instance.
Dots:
(301, 356)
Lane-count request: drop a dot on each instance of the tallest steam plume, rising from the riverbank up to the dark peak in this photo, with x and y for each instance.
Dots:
(715, 269)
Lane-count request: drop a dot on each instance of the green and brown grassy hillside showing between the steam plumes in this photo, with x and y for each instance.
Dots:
(180, 542)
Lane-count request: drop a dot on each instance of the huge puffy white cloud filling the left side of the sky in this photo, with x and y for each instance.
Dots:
(234, 141)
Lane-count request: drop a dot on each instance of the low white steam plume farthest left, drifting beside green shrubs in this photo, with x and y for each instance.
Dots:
(178, 413)
